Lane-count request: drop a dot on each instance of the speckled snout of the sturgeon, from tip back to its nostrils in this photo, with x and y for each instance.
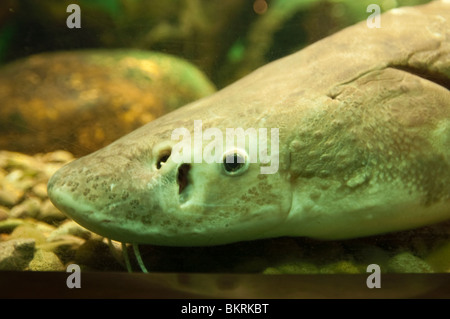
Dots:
(121, 197)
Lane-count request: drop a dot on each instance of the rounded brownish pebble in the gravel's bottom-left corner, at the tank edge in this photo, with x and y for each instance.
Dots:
(15, 254)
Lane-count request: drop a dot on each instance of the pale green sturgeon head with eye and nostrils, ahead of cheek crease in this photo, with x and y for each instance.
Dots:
(153, 187)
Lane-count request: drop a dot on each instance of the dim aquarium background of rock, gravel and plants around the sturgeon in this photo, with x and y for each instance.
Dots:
(65, 92)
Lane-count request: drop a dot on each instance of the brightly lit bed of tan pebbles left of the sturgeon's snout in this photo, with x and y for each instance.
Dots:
(29, 220)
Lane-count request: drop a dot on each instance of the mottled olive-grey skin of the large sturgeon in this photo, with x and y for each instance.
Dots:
(364, 147)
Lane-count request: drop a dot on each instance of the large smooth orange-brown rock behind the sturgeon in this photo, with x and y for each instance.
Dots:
(90, 98)
